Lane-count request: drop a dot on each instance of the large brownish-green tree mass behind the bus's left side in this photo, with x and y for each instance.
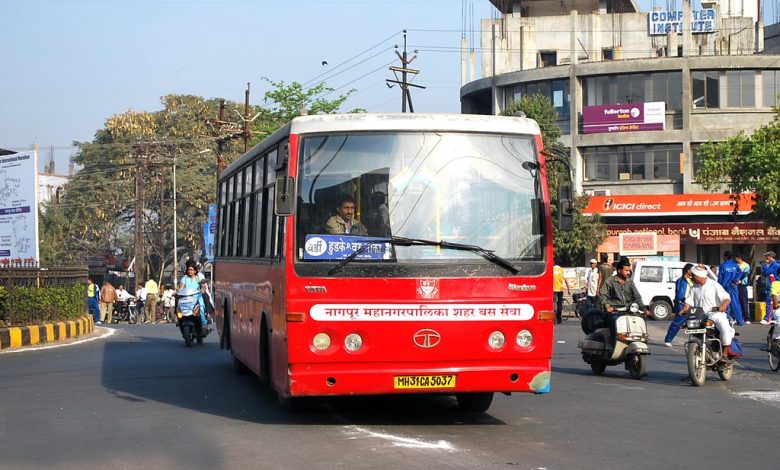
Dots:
(96, 212)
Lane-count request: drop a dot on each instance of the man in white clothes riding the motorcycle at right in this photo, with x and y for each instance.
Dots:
(714, 300)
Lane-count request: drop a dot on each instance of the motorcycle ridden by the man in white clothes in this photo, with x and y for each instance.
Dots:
(704, 349)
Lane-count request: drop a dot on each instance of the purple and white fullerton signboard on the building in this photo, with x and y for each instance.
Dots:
(617, 118)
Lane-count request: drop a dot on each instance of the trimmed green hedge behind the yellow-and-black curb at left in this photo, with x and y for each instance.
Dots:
(30, 305)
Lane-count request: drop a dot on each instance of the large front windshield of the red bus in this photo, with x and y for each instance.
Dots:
(464, 188)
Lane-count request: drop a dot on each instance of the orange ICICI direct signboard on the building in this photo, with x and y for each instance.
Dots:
(669, 204)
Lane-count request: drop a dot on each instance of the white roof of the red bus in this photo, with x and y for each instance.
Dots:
(363, 122)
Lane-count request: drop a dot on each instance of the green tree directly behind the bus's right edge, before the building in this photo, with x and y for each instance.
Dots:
(571, 248)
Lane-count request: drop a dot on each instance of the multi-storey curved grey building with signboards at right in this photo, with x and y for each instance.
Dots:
(637, 93)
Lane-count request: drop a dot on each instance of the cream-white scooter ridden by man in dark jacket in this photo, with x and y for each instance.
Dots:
(600, 349)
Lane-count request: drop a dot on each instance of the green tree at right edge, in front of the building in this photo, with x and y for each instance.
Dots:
(743, 164)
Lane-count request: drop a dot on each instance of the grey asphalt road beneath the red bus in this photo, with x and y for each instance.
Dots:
(139, 399)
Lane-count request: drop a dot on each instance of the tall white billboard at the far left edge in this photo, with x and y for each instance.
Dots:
(19, 208)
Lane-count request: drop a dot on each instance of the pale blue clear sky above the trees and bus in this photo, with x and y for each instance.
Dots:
(68, 65)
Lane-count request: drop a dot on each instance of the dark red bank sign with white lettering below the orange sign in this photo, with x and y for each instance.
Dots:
(715, 232)
